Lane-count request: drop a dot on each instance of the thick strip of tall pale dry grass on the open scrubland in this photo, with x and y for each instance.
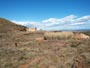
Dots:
(58, 35)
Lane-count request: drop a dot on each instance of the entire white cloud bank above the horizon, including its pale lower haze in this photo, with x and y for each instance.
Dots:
(68, 22)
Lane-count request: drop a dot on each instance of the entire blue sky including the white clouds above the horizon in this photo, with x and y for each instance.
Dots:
(48, 14)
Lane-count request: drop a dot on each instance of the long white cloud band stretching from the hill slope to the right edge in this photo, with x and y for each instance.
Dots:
(69, 21)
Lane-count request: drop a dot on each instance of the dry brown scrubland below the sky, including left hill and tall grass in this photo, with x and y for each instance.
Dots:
(20, 49)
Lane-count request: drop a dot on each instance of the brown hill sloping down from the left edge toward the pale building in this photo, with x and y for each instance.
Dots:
(8, 26)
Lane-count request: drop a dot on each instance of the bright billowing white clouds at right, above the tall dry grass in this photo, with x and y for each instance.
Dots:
(68, 20)
